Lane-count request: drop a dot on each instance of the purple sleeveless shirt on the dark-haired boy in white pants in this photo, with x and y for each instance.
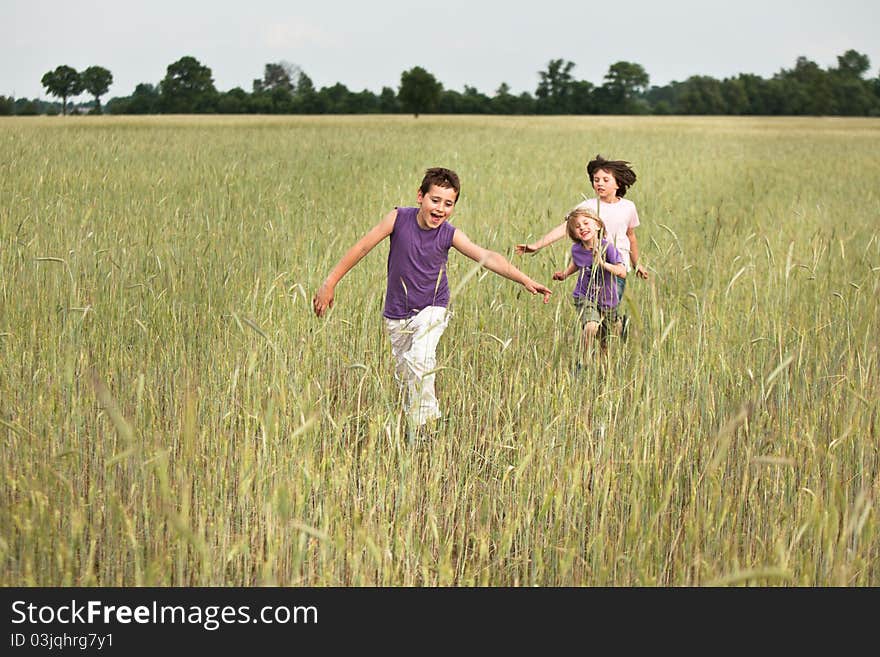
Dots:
(416, 266)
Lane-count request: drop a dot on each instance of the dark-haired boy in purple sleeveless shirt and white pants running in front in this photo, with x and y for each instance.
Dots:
(417, 292)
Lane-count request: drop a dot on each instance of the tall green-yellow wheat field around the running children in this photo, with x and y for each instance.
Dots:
(173, 413)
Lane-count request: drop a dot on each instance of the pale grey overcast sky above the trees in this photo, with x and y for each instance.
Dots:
(367, 45)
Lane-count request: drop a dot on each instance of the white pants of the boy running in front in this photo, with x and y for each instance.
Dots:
(414, 346)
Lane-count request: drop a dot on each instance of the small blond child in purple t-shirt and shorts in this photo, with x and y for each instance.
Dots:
(597, 262)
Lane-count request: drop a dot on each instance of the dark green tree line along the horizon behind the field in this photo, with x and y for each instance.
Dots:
(188, 88)
